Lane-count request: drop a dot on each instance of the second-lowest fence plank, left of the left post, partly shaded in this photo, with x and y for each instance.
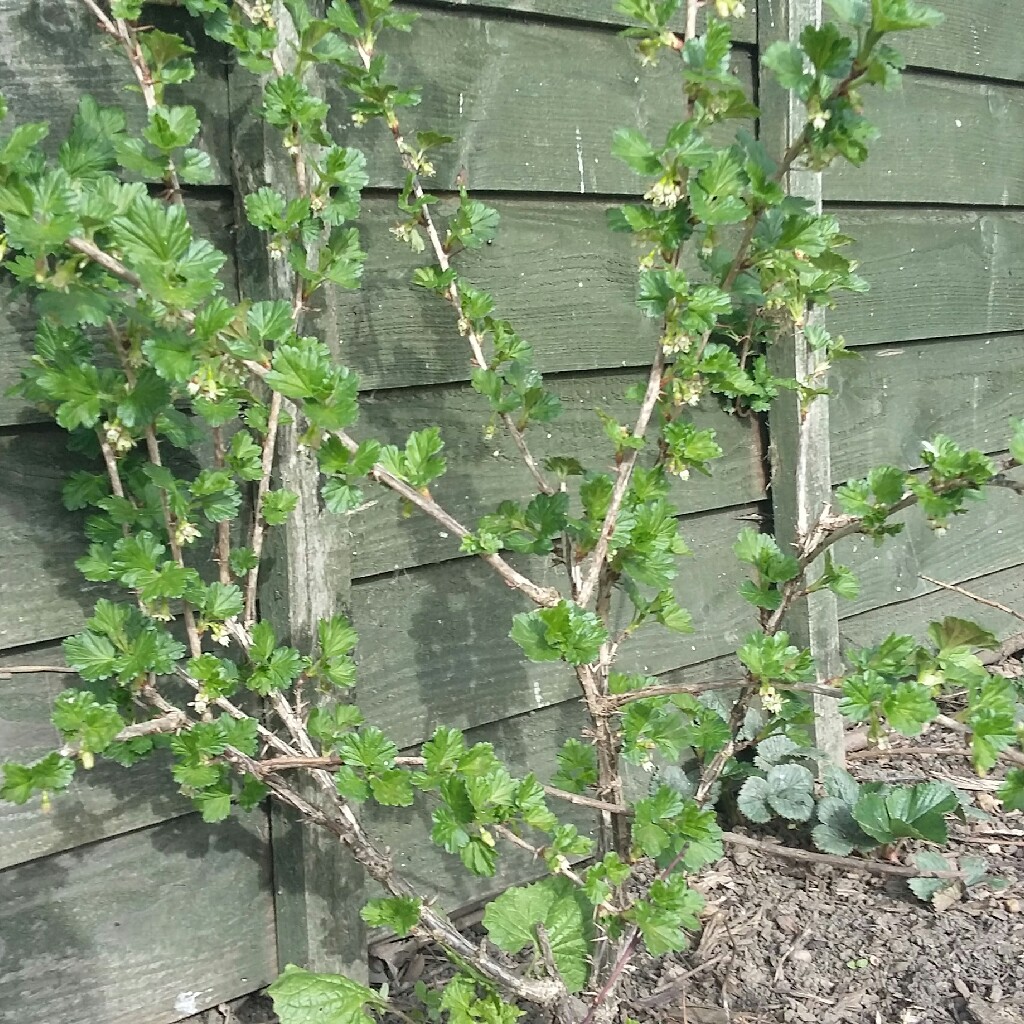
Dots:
(108, 801)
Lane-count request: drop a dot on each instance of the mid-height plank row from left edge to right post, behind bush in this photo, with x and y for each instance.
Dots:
(44, 598)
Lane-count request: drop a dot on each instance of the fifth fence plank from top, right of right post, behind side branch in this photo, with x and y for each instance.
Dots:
(989, 539)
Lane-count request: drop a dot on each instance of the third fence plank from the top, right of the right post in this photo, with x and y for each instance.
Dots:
(934, 274)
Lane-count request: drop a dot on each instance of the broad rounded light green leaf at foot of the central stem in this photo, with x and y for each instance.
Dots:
(511, 922)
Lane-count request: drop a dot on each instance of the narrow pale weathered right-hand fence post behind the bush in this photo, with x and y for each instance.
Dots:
(801, 464)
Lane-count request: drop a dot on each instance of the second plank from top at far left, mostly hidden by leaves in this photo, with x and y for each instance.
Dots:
(212, 219)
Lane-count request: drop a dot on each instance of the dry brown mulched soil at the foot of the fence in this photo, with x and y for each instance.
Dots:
(793, 943)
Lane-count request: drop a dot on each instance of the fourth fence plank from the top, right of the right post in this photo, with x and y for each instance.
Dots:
(897, 397)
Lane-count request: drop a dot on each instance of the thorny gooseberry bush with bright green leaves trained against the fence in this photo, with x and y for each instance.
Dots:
(183, 403)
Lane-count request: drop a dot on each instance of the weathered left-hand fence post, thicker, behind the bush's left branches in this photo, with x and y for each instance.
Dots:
(318, 886)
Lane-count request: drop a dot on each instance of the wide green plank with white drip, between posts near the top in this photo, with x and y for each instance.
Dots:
(532, 106)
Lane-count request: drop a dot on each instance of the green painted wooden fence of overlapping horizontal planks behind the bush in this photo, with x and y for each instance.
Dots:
(121, 906)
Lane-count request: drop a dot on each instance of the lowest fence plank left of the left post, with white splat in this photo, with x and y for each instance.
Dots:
(149, 927)
